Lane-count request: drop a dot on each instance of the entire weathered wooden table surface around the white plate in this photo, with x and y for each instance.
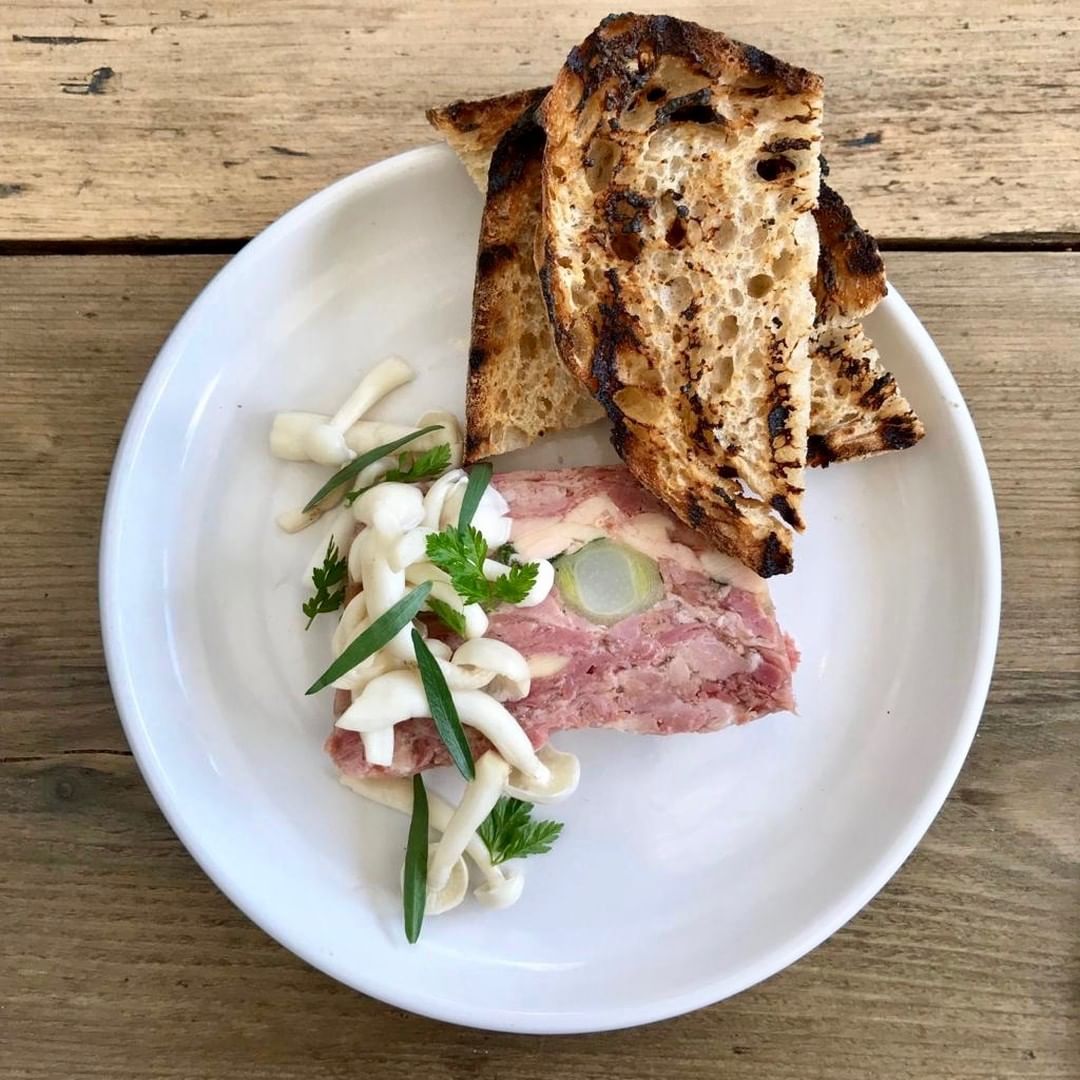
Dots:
(140, 146)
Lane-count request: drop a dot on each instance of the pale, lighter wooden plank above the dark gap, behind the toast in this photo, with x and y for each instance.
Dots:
(946, 119)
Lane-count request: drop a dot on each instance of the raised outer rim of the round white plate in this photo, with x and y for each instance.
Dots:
(602, 1019)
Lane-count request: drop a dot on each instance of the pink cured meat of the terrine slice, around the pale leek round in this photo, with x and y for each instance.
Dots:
(708, 656)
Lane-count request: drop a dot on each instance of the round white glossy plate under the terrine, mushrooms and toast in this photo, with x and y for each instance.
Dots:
(691, 867)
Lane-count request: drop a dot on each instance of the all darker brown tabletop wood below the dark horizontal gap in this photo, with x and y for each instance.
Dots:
(121, 961)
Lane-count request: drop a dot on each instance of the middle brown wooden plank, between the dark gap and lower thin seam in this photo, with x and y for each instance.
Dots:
(80, 334)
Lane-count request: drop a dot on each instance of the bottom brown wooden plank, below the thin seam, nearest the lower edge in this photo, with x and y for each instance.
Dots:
(123, 961)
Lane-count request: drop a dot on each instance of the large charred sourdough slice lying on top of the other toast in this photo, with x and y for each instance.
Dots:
(680, 178)
